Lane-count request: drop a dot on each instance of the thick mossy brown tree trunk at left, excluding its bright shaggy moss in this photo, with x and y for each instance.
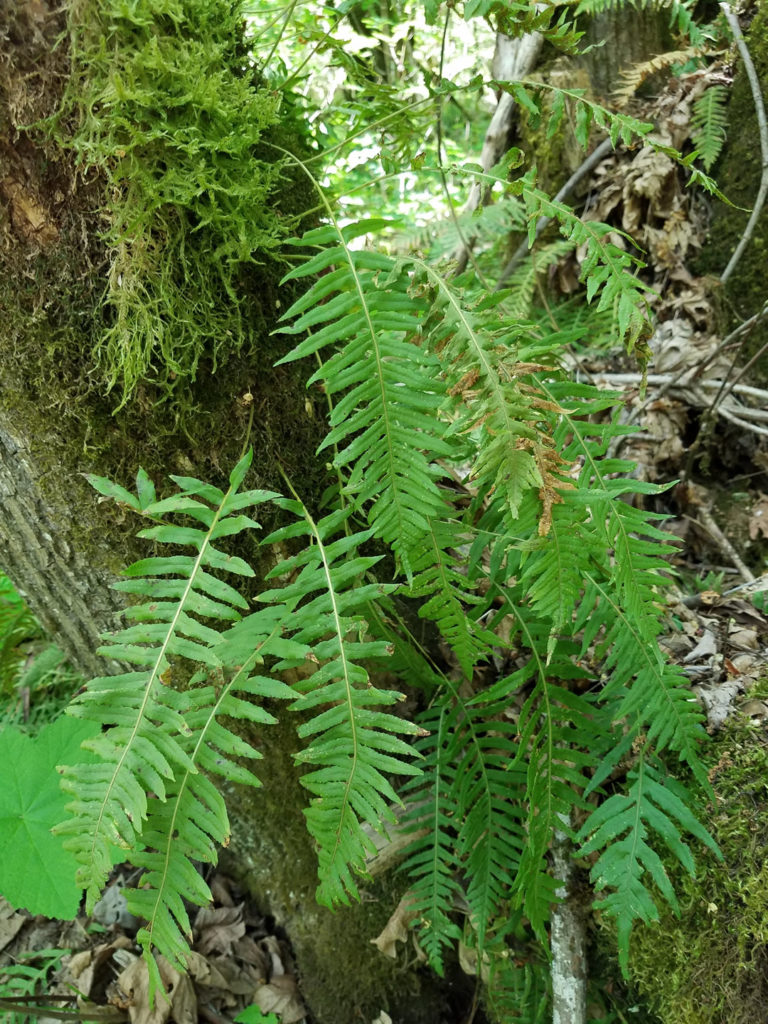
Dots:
(62, 546)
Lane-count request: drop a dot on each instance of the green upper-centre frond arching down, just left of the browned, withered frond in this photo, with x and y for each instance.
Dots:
(387, 423)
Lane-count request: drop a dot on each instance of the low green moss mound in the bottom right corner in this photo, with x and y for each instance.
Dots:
(711, 964)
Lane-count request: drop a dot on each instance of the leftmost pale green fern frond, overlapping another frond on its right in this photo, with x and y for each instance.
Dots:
(146, 744)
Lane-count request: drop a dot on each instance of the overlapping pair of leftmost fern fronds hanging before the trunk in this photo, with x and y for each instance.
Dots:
(148, 794)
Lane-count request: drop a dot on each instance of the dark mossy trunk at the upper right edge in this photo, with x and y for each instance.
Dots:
(738, 174)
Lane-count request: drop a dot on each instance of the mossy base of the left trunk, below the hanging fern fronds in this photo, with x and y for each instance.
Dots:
(345, 978)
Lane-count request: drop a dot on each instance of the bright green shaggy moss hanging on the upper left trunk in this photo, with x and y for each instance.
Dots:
(162, 106)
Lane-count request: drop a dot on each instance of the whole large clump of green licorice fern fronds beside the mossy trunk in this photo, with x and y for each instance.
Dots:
(459, 447)
